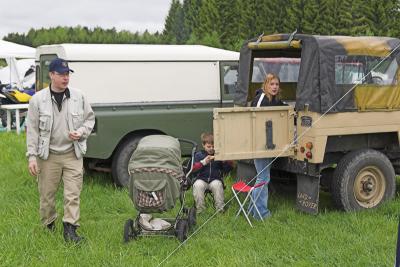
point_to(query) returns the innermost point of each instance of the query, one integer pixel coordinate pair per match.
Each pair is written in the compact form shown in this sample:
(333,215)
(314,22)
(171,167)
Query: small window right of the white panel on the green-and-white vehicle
(229,72)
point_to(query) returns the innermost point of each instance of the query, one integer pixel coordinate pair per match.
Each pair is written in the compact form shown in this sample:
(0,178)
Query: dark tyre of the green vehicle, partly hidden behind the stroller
(119,165)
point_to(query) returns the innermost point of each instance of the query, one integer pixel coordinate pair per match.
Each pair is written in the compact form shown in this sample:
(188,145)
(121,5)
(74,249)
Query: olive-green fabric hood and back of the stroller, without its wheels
(155,168)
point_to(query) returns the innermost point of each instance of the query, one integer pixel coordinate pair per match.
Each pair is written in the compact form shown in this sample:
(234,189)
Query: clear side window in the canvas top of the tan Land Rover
(365,70)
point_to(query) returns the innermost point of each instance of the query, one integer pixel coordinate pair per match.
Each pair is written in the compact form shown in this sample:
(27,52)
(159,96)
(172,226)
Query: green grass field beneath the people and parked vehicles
(288,238)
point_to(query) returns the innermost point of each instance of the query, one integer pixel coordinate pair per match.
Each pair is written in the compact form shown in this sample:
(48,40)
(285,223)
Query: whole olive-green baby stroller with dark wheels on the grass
(157,181)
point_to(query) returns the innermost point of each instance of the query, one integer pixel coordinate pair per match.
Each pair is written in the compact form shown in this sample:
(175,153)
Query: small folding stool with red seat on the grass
(242,187)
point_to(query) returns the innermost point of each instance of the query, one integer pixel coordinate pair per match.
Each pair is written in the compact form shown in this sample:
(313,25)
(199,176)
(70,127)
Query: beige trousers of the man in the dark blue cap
(70,169)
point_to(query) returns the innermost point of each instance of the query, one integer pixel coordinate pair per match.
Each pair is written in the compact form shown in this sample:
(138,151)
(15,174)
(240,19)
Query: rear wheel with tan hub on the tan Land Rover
(363,179)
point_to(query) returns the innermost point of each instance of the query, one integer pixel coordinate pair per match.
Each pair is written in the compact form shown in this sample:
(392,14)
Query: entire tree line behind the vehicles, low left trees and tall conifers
(228,23)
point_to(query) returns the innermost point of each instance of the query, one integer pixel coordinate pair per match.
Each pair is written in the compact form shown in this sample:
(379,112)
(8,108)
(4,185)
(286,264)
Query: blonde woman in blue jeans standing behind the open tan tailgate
(268,96)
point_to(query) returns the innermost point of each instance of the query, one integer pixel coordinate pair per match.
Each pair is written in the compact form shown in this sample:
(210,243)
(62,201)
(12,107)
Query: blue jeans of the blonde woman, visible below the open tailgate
(261,193)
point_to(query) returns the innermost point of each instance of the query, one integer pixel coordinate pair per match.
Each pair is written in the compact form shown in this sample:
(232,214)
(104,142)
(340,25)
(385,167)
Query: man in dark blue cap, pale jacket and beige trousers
(59,121)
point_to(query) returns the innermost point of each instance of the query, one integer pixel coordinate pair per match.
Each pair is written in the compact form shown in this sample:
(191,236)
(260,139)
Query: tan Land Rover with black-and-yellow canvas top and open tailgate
(341,127)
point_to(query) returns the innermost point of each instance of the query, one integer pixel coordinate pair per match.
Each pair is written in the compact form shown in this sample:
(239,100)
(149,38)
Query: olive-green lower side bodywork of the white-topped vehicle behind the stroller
(175,119)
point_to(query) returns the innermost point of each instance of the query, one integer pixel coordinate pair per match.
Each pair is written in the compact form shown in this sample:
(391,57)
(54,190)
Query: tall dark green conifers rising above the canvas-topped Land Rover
(226,23)
